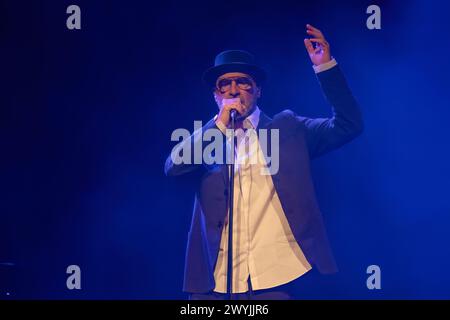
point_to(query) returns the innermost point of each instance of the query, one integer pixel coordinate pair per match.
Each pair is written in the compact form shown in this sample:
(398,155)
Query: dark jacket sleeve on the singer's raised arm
(326,134)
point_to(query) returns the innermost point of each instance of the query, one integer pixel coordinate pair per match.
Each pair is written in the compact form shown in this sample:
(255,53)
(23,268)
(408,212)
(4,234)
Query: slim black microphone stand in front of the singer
(230,211)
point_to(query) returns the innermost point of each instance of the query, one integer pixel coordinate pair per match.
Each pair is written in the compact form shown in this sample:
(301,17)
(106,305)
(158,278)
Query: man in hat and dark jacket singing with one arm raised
(278,231)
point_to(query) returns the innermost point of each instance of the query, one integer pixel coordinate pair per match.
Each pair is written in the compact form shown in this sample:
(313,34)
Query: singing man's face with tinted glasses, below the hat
(237,85)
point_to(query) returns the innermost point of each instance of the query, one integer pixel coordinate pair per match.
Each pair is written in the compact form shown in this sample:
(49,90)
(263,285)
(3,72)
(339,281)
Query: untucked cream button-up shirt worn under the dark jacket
(264,247)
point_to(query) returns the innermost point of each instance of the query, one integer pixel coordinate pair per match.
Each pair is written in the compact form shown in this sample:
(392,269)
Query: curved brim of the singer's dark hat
(210,76)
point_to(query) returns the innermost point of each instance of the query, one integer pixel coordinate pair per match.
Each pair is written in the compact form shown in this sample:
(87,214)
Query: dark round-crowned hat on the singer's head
(234,61)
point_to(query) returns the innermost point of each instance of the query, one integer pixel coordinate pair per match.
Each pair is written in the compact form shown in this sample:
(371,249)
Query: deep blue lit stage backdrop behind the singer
(86,118)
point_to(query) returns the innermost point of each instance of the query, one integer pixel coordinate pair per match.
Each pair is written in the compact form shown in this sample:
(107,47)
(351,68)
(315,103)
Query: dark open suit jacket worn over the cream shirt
(301,139)
